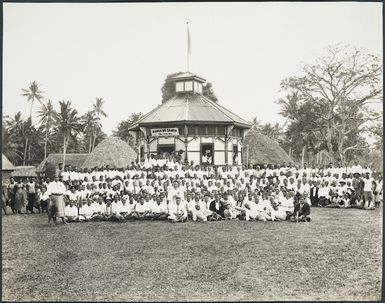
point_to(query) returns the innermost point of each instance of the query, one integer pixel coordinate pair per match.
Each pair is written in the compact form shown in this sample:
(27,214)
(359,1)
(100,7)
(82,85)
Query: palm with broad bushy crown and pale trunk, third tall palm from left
(67,123)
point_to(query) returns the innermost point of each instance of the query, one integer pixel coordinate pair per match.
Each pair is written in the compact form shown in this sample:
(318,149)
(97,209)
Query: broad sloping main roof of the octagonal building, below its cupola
(191,108)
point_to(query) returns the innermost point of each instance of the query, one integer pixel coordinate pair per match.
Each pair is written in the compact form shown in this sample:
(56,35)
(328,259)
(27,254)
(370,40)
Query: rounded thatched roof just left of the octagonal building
(111,151)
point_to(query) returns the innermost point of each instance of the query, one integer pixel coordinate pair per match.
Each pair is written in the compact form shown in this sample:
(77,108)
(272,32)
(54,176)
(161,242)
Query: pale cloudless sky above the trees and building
(122,52)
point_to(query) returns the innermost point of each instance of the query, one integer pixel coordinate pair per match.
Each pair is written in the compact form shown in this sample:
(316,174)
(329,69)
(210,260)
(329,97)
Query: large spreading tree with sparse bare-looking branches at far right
(330,101)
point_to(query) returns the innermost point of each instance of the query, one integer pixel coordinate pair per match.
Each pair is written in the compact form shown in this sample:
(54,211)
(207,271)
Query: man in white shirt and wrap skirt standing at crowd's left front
(56,190)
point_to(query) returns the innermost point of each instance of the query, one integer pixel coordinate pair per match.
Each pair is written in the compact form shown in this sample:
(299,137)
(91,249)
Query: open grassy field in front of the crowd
(338,256)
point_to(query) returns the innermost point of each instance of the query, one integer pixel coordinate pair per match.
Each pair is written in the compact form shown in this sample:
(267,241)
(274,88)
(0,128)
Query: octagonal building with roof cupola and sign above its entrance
(200,129)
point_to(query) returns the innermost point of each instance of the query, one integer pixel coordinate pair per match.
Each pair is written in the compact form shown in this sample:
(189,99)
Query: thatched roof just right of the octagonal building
(263,150)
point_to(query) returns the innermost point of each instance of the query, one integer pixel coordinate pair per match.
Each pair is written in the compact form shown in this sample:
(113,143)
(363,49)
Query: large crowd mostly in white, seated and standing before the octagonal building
(163,188)
